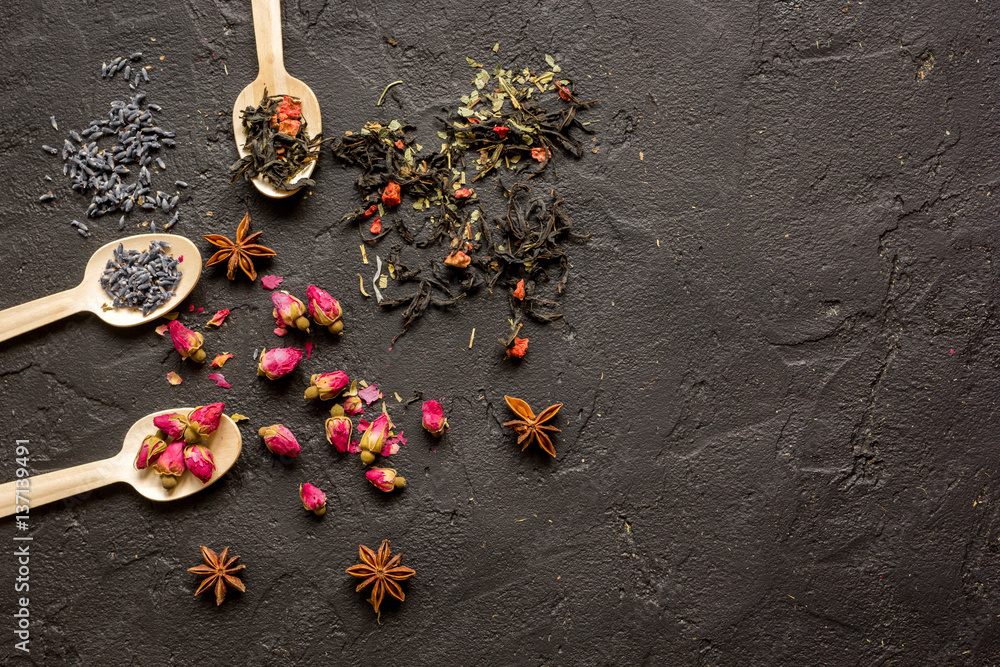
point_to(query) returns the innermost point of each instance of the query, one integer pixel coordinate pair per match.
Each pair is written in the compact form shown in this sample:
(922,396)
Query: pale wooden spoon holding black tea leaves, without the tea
(272,76)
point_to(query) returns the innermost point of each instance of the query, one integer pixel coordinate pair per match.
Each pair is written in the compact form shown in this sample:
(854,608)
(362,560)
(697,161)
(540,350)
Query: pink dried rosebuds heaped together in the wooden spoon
(179,445)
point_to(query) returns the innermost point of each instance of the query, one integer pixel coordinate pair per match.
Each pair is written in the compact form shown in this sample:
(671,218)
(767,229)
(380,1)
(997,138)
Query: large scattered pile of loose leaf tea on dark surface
(458,247)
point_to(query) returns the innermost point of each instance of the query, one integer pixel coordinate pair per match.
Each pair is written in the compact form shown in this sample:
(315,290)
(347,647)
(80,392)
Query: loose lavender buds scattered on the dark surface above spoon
(100,172)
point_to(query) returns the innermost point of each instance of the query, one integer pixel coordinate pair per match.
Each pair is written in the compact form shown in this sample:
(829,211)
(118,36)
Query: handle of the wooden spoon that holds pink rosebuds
(30,492)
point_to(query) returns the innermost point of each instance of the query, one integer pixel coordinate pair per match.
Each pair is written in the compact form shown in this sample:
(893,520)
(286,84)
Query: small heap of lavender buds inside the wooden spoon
(141,280)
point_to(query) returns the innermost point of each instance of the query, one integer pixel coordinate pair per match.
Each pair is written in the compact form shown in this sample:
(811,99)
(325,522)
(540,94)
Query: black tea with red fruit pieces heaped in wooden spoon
(278,142)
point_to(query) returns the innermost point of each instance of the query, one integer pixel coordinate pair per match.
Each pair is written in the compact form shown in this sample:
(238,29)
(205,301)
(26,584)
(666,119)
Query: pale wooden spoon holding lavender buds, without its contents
(89,295)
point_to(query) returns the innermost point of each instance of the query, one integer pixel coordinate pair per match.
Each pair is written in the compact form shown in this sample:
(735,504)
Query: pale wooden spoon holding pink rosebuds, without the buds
(225,445)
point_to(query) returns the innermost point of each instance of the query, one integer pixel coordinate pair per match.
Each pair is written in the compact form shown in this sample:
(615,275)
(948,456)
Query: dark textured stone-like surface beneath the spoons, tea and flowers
(779,368)
